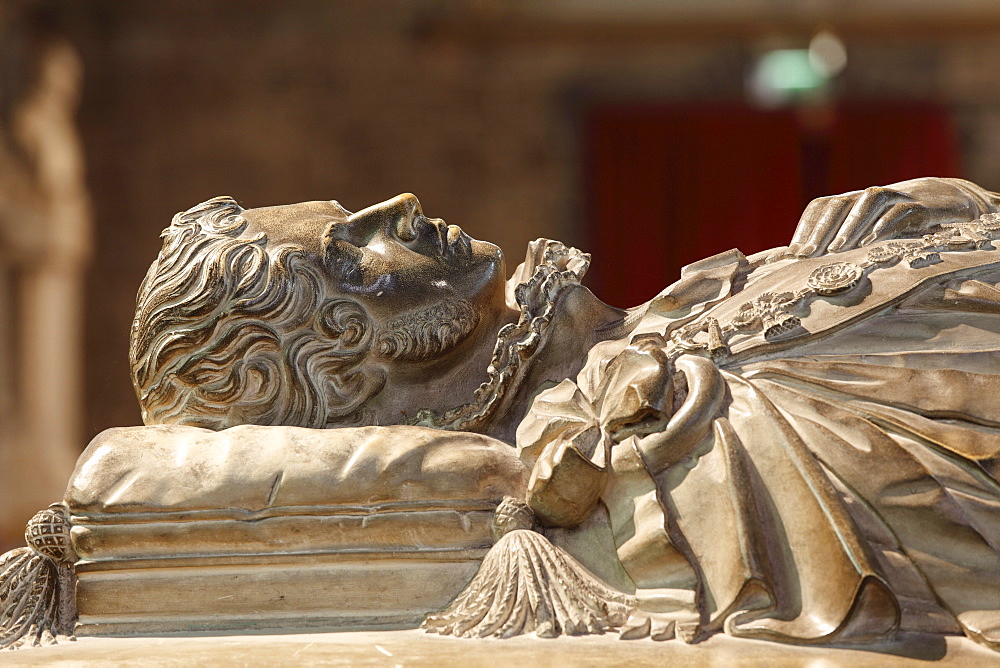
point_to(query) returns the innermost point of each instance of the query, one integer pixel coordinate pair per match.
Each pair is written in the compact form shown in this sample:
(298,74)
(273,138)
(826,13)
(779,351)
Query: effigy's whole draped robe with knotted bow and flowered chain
(831,479)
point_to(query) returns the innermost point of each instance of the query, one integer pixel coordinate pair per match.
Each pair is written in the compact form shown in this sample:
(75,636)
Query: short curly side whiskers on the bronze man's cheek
(428,333)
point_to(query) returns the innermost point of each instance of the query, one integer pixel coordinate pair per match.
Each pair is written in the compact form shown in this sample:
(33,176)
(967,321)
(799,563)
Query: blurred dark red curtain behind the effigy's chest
(669,185)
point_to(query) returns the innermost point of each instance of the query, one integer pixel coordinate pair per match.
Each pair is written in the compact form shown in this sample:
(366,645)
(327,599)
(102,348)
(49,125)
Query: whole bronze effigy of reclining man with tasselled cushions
(353,421)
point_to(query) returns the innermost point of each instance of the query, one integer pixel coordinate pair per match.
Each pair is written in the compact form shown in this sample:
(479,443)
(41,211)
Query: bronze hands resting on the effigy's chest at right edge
(909,208)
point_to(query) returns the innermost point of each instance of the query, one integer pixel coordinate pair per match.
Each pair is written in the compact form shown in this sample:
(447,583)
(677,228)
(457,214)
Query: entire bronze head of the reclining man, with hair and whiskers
(339,318)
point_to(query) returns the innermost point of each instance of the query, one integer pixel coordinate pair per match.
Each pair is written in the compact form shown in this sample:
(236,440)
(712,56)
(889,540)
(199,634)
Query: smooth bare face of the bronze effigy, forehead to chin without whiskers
(389,257)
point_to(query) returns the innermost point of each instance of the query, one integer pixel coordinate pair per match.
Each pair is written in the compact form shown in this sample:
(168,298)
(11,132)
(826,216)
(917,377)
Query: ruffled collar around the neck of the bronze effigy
(557,267)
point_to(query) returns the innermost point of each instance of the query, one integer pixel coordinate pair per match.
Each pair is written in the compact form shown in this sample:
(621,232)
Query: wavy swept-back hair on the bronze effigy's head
(229,331)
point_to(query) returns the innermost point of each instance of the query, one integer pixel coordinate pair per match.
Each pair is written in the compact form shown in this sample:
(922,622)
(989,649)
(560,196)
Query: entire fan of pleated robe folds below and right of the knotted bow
(814,515)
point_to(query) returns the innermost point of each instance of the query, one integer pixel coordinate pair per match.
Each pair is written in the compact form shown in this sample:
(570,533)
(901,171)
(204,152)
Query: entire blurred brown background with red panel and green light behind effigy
(651,133)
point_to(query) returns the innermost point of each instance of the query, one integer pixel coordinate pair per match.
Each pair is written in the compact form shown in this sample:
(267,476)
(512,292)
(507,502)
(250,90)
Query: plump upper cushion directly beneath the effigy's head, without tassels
(147,492)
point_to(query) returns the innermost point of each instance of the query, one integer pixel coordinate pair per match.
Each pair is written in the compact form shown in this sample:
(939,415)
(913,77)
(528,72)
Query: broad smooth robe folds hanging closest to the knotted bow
(777,554)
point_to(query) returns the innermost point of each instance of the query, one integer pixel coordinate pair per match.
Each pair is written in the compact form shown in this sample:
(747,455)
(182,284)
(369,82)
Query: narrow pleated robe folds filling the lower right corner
(928,481)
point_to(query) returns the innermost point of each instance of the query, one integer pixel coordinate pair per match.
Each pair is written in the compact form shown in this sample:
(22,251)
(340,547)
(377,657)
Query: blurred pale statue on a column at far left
(45,240)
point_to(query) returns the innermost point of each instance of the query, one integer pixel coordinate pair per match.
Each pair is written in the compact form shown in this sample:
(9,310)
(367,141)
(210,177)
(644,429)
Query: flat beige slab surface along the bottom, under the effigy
(415,648)
